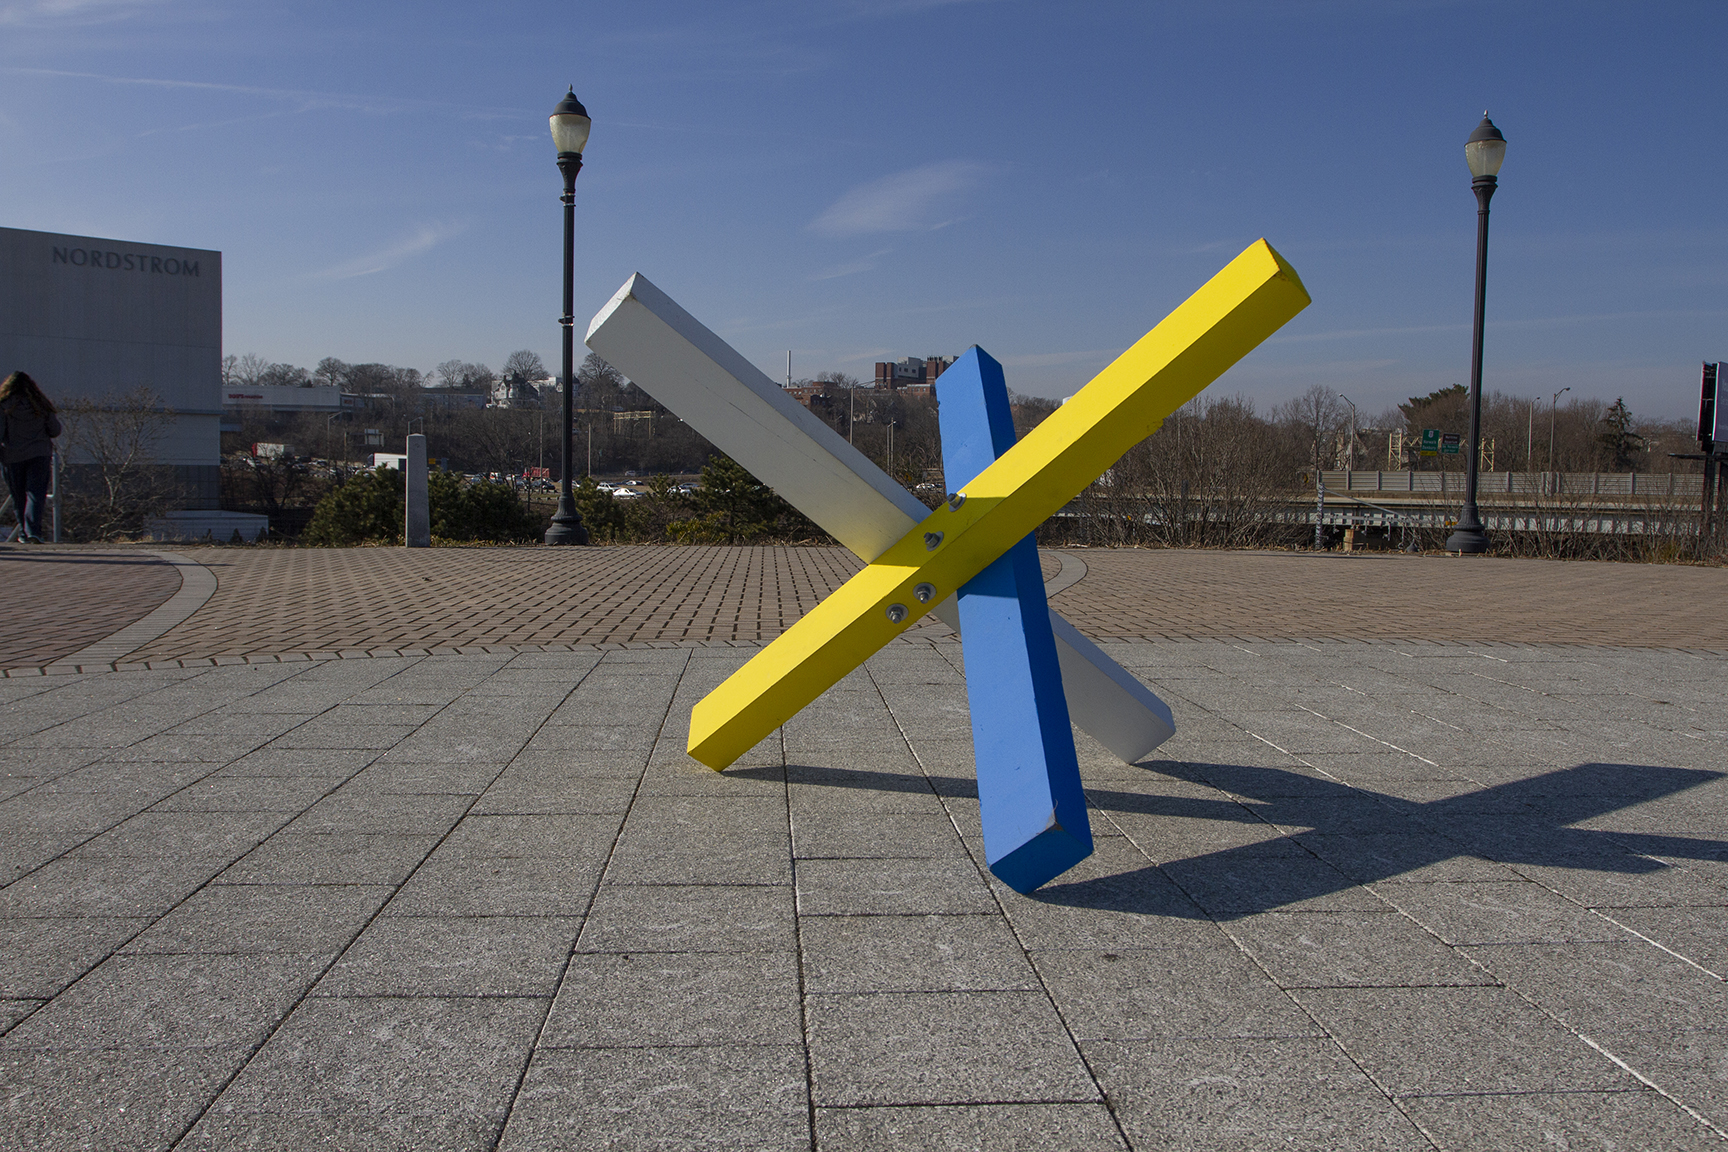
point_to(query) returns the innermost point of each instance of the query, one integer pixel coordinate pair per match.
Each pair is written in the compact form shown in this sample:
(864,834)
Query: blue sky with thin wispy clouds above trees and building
(863,180)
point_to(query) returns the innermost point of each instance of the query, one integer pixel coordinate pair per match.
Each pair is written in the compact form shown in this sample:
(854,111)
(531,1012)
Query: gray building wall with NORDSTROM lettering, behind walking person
(91,317)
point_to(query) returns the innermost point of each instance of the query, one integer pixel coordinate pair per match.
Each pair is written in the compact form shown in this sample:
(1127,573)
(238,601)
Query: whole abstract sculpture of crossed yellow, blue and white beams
(977,545)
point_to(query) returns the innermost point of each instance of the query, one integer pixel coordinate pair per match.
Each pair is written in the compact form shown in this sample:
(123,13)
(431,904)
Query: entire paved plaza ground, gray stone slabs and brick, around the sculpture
(381,849)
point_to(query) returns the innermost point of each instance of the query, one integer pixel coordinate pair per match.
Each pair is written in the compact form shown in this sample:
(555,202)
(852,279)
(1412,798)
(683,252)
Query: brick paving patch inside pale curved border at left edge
(61,600)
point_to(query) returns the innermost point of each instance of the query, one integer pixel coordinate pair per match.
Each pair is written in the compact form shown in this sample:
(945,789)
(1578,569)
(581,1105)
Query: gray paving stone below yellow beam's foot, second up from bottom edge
(671,999)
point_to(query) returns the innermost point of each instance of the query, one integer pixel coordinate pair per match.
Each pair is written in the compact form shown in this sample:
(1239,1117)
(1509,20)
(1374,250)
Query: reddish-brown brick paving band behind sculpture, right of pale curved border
(302,602)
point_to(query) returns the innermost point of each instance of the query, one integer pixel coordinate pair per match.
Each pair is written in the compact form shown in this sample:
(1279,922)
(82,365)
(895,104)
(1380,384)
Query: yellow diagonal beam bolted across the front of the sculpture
(1254,296)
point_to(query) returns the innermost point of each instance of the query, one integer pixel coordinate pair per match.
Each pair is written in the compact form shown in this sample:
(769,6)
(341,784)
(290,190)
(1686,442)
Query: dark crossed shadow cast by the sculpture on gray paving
(1307,839)
